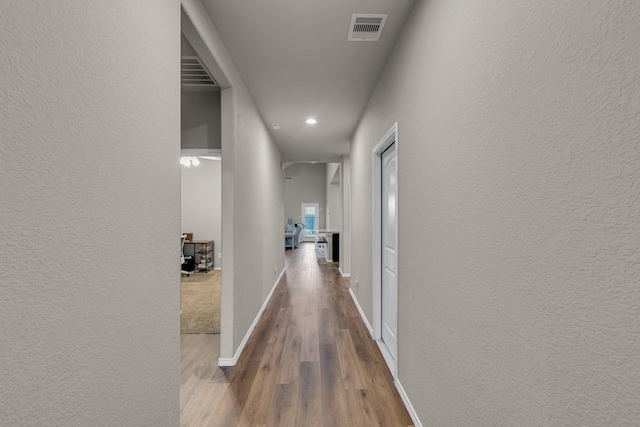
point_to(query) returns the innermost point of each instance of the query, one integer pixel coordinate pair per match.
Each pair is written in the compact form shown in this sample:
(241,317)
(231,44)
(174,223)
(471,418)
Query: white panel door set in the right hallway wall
(389,259)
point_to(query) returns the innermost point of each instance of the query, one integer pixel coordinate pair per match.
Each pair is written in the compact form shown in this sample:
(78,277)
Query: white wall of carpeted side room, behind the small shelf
(201,200)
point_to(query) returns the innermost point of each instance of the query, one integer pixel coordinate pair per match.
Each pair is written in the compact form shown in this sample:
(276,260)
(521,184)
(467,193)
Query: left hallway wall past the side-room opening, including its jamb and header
(252,189)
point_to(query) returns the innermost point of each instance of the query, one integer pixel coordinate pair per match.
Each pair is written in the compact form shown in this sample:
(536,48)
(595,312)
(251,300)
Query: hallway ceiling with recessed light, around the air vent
(296,61)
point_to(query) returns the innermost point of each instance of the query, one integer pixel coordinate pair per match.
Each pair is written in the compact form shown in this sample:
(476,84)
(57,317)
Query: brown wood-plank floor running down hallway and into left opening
(309,362)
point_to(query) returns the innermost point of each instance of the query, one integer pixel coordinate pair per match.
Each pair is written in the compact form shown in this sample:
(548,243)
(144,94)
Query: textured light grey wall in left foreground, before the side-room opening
(89,180)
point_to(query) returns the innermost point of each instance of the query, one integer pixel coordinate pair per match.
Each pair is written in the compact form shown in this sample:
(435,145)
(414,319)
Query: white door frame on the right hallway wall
(389,138)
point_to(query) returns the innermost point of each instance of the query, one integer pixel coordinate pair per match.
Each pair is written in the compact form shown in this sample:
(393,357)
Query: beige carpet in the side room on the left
(200,301)
